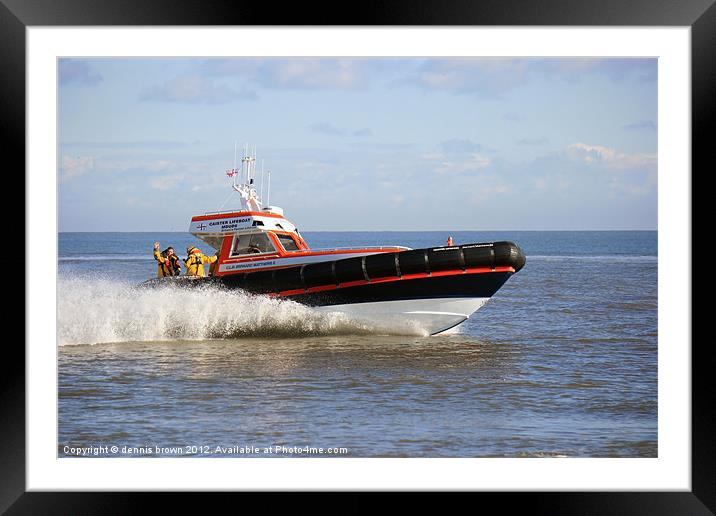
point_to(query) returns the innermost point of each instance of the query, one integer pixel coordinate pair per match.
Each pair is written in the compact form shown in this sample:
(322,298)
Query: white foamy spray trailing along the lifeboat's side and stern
(96,310)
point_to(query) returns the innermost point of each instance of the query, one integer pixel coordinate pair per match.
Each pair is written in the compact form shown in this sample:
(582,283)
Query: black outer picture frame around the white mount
(700,15)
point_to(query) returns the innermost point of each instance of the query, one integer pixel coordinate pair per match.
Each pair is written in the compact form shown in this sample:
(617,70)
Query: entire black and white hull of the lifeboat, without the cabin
(430,290)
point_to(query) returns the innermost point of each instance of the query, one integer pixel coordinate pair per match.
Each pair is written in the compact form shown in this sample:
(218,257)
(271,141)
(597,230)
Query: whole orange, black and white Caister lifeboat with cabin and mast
(261,252)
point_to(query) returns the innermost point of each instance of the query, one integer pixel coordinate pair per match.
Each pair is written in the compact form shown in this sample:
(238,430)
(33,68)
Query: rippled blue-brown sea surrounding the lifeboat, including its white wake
(561,362)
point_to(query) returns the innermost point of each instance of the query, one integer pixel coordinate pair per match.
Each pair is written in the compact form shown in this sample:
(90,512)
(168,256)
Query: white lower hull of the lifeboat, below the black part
(413,315)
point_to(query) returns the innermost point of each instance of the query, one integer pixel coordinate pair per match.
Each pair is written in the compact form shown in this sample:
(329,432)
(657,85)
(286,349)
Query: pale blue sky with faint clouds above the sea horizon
(361,144)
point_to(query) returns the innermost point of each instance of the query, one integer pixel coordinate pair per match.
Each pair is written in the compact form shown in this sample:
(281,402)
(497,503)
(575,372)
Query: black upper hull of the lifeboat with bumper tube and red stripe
(327,278)
